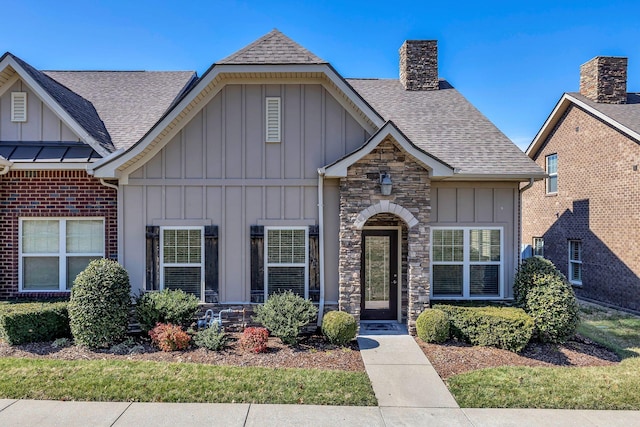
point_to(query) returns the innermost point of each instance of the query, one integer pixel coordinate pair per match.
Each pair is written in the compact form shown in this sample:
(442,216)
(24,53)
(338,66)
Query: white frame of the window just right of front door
(467,263)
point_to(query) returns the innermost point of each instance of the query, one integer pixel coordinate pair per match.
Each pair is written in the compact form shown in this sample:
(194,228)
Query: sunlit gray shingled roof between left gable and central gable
(129,102)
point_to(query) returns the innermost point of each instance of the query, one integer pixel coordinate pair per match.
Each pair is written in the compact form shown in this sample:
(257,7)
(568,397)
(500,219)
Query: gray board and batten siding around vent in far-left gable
(42,123)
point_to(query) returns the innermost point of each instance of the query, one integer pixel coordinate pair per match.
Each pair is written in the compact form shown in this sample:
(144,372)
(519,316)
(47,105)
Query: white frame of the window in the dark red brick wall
(62,253)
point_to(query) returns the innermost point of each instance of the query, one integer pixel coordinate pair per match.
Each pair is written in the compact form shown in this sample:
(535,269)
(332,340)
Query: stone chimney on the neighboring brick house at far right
(604,79)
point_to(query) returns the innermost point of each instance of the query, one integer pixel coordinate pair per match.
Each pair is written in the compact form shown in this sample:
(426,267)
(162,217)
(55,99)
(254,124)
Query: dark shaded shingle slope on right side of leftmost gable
(79,108)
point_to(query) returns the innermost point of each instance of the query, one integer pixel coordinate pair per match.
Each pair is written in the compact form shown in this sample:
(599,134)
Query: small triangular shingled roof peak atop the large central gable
(273,48)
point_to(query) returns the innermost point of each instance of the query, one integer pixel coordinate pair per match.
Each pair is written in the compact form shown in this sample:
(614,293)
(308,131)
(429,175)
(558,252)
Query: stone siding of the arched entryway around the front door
(409,202)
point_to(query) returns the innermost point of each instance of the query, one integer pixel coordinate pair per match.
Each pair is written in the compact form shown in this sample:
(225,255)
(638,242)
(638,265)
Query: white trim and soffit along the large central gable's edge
(119,166)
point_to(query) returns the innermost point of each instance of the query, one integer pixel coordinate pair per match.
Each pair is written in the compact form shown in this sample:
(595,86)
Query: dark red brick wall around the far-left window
(49,194)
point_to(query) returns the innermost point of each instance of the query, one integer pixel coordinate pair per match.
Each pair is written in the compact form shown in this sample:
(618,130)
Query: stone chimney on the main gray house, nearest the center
(419,65)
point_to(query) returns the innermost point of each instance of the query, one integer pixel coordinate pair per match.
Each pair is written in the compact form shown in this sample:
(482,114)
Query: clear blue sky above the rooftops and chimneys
(512,60)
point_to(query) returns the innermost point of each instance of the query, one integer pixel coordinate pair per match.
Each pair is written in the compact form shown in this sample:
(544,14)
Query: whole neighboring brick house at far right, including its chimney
(585,217)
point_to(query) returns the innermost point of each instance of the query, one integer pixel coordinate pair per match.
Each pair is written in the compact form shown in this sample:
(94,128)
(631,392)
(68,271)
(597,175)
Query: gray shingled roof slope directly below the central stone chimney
(446,125)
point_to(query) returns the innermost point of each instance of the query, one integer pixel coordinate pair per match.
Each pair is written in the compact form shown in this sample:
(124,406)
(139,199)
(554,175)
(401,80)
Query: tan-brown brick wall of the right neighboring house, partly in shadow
(598,201)
